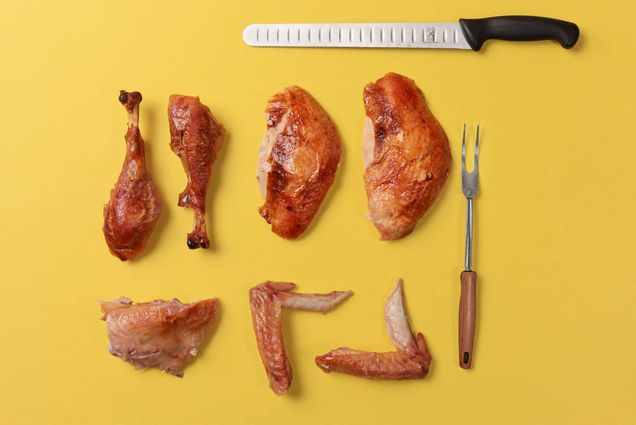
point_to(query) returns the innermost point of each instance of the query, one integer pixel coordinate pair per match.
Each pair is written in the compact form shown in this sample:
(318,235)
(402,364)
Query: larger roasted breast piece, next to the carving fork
(406,155)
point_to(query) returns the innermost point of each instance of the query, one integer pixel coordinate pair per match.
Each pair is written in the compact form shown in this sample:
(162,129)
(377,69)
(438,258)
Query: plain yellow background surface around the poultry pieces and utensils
(554,238)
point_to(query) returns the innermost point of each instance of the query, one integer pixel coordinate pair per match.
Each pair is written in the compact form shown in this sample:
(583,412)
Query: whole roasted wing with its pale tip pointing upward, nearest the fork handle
(410,361)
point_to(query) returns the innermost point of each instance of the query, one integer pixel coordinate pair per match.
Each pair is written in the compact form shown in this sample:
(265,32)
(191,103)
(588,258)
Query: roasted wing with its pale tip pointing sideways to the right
(267,301)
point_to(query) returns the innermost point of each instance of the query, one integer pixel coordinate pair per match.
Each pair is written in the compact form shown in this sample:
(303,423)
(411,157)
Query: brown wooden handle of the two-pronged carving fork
(467,313)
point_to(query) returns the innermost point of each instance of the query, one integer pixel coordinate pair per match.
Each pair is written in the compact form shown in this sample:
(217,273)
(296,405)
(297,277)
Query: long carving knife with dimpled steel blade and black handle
(465,34)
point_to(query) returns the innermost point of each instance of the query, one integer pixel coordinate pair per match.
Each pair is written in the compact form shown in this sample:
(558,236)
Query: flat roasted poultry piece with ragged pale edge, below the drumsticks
(160,334)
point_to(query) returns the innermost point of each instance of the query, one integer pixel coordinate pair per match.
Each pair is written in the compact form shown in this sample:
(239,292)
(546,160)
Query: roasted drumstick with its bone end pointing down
(196,137)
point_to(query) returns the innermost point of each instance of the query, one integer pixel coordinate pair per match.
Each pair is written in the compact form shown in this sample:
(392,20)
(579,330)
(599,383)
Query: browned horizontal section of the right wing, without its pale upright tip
(392,365)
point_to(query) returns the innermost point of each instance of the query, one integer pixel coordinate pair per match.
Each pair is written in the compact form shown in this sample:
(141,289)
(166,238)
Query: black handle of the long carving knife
(518,28)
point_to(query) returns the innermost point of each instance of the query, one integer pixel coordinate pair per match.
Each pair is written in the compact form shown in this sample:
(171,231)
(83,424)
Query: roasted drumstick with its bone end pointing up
(134,206)
